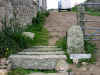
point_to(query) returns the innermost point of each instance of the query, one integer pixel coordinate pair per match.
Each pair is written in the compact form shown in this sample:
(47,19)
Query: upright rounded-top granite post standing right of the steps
(75,40)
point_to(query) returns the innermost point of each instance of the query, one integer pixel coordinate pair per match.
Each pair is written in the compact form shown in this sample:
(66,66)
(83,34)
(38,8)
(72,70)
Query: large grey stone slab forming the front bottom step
(44,62)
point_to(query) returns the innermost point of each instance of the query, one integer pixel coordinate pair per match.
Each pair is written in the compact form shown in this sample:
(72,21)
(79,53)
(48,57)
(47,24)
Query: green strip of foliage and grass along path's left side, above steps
(37,27)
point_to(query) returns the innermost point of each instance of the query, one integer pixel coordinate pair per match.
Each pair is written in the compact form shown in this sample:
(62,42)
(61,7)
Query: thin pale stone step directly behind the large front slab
(42,53)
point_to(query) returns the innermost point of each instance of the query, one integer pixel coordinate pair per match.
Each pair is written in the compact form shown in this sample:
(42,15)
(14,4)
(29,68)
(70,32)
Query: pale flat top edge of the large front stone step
(39,56)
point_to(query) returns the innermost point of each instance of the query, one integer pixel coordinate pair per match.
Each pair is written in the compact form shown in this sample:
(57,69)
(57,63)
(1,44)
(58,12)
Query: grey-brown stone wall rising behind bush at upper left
(25,10)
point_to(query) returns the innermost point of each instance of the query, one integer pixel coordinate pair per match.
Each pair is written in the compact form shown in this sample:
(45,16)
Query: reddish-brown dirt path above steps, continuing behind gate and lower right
(58,24)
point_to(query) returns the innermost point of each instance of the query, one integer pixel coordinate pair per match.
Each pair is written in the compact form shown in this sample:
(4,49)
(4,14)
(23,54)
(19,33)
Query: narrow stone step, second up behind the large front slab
(41,49)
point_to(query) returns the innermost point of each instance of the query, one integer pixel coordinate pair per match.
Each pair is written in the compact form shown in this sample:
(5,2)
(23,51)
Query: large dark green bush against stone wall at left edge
(11,39)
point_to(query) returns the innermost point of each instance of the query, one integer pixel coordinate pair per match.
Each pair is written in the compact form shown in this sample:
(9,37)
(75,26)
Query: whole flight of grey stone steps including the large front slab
(40,57)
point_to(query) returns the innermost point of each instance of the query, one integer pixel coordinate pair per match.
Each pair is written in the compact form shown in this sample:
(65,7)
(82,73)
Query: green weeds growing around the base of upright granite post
(90,48)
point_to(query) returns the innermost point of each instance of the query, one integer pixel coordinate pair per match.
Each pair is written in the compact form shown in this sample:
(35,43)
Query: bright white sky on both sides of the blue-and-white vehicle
(53,4)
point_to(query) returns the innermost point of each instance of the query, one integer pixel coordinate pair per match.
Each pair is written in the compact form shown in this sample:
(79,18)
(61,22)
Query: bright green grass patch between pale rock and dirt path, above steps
(41,37)
